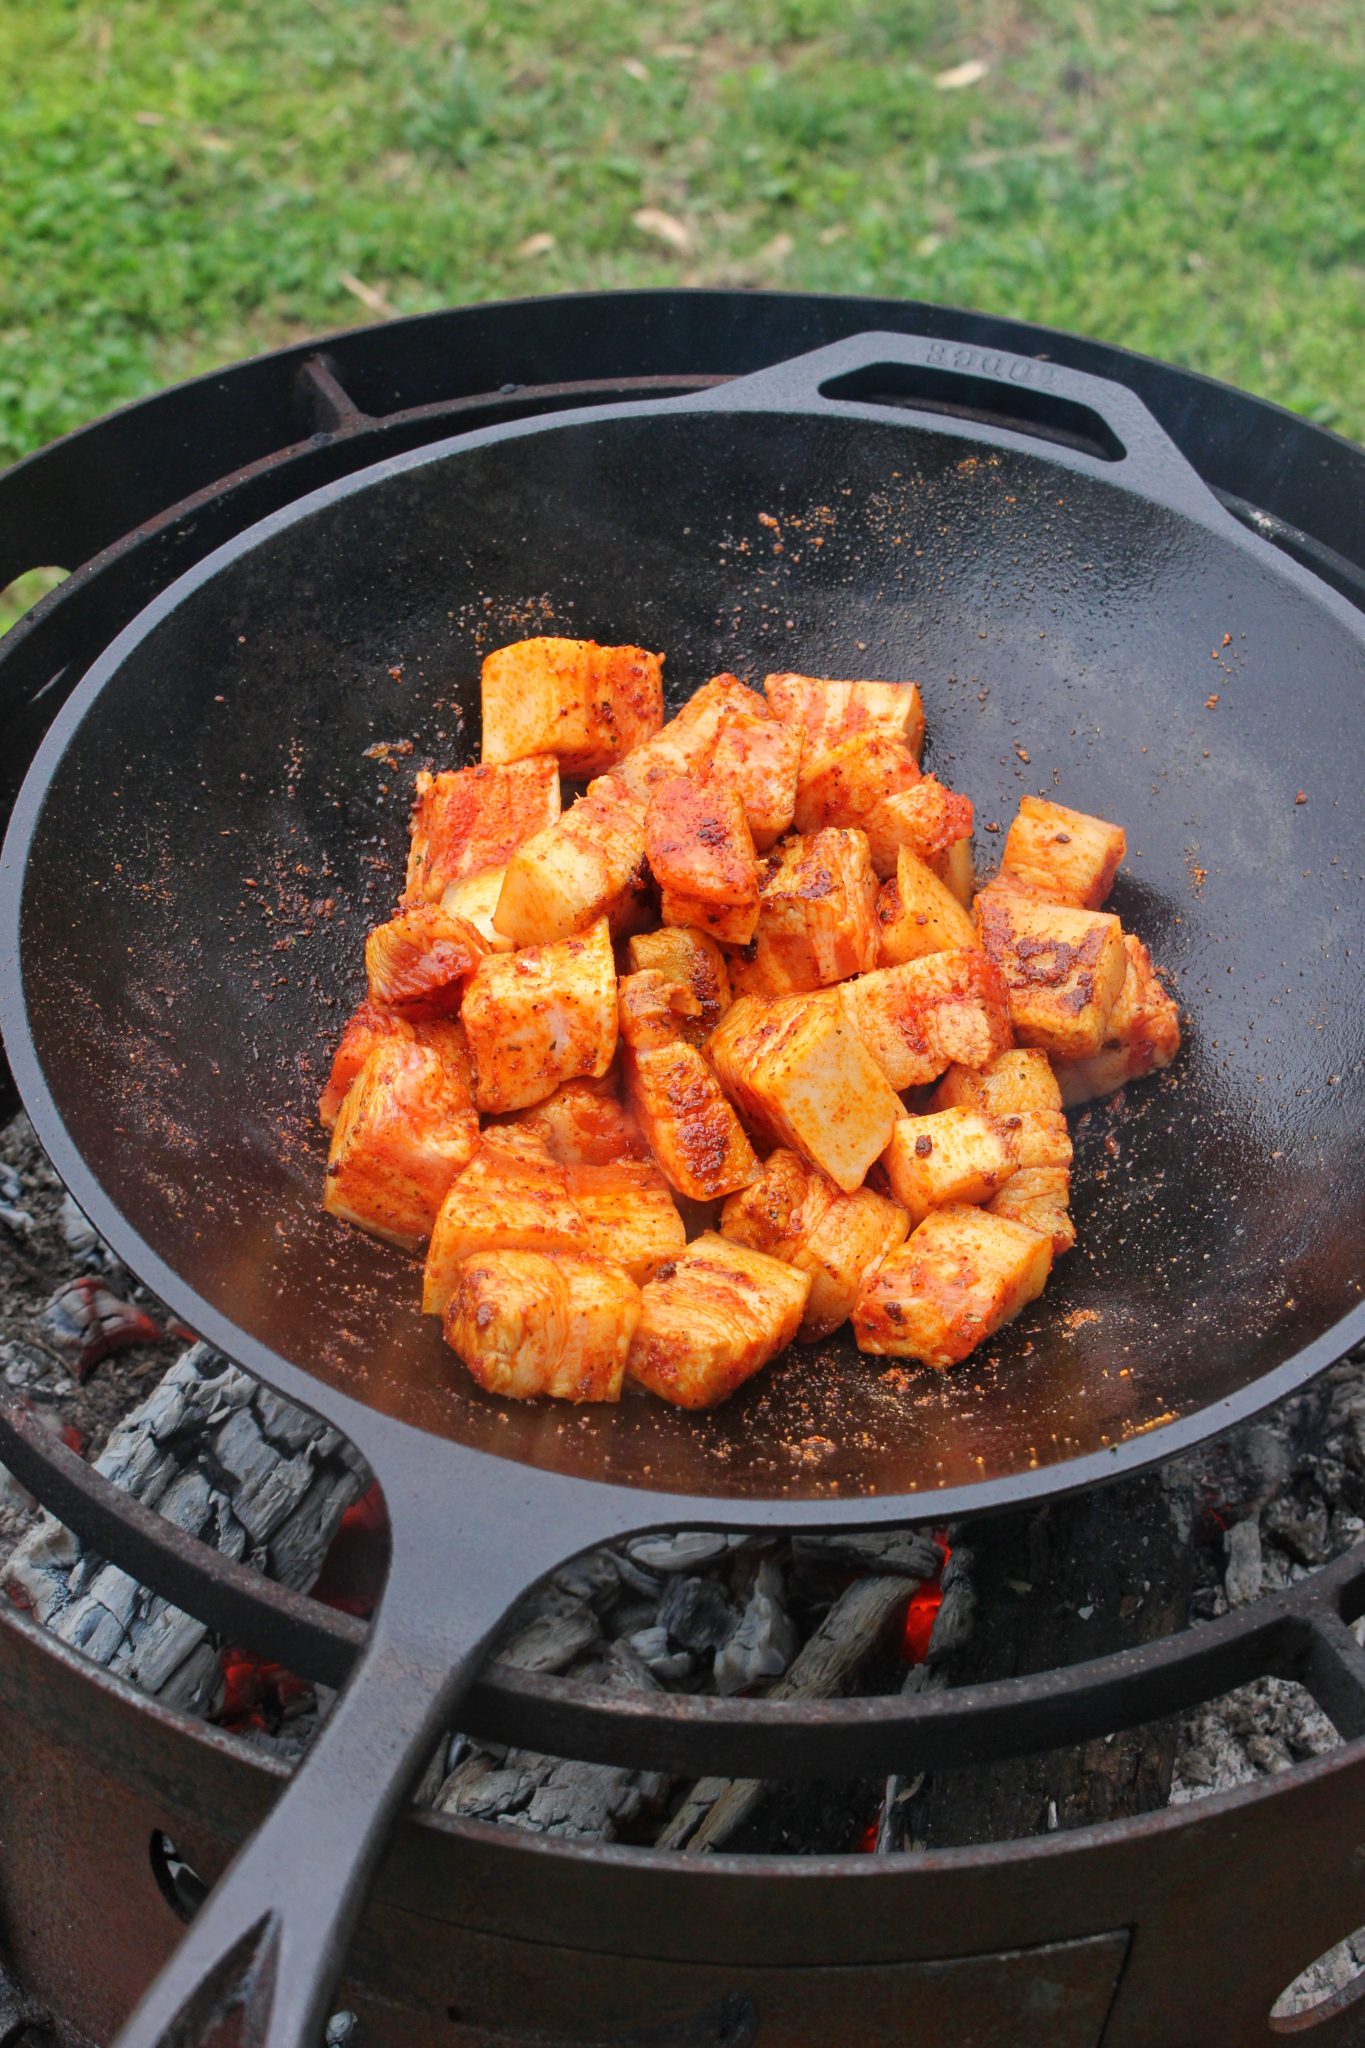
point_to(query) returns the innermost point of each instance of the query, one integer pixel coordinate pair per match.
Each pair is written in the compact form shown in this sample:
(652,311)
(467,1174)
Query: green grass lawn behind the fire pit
(185,183)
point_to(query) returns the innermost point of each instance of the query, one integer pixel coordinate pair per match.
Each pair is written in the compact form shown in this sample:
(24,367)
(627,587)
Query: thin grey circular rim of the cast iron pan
(378,1433)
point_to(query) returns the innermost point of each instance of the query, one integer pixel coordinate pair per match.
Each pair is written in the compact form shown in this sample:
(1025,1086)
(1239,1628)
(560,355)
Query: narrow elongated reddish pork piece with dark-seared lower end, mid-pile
(691,1127)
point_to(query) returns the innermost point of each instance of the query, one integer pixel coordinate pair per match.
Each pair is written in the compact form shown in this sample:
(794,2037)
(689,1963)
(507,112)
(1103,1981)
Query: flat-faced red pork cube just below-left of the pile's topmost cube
(470,820)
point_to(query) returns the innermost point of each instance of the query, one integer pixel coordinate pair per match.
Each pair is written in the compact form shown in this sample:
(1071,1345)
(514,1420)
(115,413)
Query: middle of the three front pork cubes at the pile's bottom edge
(713,1320)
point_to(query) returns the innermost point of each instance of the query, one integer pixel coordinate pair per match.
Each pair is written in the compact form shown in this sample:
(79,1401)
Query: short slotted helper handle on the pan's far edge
(1092,423)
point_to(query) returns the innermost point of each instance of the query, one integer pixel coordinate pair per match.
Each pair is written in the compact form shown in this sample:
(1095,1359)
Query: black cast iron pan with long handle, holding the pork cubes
(218,816)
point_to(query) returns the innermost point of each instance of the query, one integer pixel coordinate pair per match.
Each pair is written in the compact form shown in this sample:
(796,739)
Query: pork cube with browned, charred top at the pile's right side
(1063,970)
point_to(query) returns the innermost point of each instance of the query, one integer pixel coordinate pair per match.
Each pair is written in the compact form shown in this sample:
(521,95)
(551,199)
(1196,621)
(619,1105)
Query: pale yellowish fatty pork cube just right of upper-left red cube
(584,867)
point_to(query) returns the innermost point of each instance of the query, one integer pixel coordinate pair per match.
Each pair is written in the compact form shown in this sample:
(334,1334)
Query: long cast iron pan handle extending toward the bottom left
(267,1949)
